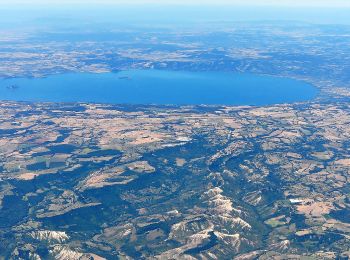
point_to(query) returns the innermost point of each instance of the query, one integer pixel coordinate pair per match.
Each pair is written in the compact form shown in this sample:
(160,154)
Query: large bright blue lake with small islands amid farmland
(158,87)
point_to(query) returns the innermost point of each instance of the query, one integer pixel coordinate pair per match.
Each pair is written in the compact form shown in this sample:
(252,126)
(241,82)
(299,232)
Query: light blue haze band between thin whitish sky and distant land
(177,15)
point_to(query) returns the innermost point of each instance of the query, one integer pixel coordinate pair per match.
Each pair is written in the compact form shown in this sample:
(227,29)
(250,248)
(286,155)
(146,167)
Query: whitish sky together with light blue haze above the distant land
(19,14)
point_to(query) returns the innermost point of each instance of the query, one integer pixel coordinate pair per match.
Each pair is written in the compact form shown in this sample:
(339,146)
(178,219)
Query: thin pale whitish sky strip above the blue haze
(293,3)
